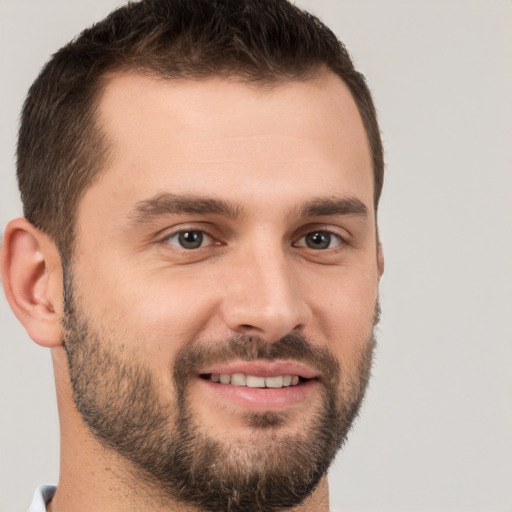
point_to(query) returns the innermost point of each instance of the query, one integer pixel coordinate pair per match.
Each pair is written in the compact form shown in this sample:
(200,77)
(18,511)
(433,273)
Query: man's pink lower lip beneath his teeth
(261,399)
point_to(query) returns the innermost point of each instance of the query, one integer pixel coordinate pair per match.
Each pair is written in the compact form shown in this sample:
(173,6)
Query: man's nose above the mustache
(263,296)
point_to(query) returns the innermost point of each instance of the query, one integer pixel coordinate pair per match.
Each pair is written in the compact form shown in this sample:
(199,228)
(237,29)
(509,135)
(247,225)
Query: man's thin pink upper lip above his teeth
(261,368)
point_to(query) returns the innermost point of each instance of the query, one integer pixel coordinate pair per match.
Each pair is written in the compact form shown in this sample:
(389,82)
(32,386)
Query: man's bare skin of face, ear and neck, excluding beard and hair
(267,151)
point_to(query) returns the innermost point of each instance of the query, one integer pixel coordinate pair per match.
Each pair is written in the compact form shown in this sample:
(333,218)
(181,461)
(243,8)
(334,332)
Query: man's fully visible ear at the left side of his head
(32,280)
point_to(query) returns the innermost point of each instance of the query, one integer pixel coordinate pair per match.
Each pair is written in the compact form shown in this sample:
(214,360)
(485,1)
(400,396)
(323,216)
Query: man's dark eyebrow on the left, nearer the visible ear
(169,204)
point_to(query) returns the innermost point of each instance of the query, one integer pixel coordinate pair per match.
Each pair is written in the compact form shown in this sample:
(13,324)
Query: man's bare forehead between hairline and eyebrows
(226,137)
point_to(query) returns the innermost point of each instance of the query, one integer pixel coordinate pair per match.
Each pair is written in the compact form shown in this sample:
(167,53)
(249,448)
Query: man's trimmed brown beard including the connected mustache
(118,399)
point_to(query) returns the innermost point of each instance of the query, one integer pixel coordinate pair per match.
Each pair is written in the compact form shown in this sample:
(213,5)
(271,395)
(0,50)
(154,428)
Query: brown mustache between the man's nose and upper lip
(296,347)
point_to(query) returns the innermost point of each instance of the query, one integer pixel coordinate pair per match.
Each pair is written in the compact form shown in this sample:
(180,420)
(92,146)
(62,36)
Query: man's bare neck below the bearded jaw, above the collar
(93,477)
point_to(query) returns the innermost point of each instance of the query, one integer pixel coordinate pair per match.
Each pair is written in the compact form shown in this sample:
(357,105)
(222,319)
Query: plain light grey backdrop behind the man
(435,433)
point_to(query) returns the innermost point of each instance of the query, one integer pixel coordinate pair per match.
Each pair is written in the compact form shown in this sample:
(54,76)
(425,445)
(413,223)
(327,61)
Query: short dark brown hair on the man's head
(61,148)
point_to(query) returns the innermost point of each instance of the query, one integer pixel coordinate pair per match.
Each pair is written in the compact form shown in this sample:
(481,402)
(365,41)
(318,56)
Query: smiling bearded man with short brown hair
(199,250)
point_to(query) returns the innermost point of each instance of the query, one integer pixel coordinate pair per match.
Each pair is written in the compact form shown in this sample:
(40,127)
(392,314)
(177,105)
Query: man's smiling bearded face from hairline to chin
(223,290)
